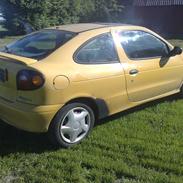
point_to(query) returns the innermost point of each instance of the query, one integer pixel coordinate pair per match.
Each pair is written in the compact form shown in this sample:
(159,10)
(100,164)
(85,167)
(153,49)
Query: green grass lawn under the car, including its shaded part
(144,145)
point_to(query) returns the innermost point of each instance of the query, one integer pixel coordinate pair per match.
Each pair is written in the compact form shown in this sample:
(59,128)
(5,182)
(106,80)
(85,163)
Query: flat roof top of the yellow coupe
(82,27)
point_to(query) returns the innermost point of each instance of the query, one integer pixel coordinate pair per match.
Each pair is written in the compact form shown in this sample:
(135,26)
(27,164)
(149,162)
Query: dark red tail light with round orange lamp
(29,80)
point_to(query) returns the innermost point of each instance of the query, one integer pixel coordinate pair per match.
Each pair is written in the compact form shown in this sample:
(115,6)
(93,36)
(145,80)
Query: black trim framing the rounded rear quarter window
(98,63)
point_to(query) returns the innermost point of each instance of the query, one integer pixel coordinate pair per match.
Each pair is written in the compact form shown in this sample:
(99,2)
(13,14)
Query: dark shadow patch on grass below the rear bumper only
(13,140)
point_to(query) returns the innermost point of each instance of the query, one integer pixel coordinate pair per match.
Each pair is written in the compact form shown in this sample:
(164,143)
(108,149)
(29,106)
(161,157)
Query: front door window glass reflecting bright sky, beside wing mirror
(142,45)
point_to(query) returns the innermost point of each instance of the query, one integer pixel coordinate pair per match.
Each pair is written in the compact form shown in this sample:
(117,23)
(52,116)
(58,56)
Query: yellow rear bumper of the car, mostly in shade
(28,117)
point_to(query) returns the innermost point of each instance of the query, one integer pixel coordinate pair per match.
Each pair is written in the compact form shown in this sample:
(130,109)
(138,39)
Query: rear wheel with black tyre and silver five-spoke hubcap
(71,125)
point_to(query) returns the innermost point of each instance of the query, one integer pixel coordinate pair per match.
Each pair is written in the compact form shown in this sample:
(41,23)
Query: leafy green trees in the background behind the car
(46,13)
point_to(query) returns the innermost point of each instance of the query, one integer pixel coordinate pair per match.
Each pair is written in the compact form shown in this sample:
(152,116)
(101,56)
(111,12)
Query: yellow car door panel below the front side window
(153,80)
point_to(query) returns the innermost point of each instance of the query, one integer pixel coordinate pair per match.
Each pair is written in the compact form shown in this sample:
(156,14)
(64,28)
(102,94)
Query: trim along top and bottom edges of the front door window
(146,58)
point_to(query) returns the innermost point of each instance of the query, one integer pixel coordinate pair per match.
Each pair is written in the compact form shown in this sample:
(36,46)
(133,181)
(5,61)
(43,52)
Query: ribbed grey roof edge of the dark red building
(158,2)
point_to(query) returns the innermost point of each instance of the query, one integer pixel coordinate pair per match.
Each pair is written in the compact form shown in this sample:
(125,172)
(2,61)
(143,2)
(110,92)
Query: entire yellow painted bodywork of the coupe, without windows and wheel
(111,83)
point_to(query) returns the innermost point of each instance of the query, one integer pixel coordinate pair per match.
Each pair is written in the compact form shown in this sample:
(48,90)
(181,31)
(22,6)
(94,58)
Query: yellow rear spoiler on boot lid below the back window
(17,59)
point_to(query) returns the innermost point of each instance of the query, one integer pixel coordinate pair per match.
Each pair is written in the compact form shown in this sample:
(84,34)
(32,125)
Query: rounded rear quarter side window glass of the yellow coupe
(100,50)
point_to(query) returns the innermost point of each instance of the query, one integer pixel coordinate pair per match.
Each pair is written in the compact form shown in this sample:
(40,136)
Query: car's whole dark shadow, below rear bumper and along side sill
(13,140)
